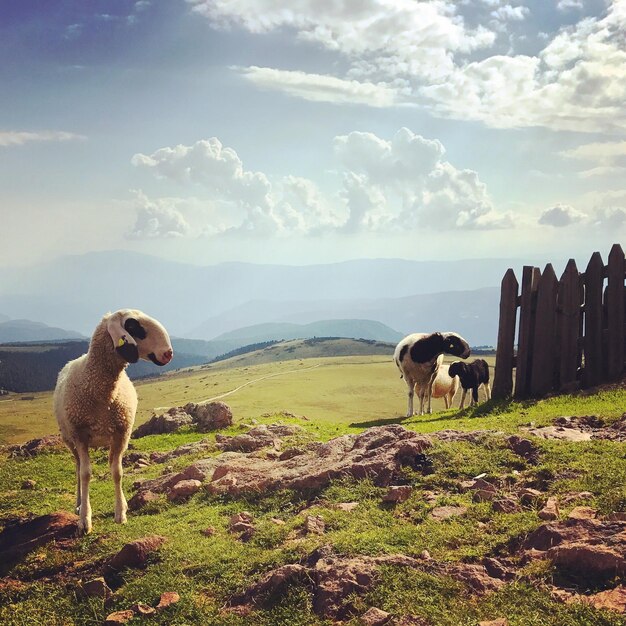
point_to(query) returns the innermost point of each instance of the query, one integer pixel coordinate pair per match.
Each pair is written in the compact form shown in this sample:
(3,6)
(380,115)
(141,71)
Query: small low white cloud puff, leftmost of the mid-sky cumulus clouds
(157,218)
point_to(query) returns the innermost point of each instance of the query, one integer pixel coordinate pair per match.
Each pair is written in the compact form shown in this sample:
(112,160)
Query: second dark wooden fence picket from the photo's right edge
(592,343)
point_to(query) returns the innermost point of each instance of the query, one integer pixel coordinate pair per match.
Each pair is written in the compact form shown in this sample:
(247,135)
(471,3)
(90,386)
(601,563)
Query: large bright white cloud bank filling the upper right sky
(428,54)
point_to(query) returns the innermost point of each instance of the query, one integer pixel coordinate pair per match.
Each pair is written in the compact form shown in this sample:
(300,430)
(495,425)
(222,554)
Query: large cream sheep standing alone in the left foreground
(95,402)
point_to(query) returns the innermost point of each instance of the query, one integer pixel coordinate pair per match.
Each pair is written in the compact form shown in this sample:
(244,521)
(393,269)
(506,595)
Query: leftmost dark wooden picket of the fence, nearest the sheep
(503,378)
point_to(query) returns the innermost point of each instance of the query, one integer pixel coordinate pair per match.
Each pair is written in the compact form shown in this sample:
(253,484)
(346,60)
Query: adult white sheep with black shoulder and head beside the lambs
(417,358)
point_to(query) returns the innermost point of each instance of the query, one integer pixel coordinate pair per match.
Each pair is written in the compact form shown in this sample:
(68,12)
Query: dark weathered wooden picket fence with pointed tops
(570,331)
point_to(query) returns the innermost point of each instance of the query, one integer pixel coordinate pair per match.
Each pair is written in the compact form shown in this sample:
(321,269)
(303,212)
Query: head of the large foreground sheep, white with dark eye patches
(137,336)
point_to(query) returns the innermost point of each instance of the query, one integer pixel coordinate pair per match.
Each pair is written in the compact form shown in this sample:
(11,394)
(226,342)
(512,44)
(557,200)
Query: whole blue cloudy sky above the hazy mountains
(312,131)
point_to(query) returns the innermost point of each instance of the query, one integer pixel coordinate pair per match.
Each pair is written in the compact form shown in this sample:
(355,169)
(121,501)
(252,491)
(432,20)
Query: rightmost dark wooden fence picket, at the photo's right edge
(615,312)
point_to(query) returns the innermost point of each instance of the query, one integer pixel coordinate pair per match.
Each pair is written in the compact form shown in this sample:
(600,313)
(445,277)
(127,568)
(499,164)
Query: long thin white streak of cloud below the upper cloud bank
(320,88)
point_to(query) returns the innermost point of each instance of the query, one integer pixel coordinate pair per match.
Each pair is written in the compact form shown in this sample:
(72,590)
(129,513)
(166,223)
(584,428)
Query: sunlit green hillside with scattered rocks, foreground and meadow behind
(416,536)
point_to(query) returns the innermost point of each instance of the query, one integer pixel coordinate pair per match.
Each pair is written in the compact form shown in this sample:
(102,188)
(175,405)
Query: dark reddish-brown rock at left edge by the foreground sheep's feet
(19,539)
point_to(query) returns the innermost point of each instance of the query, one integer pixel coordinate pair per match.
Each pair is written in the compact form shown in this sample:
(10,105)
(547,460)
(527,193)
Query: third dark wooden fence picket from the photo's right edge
(568,321)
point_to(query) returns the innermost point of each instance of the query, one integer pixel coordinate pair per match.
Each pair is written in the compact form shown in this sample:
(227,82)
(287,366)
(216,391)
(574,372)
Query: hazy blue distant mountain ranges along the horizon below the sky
(205,302)
